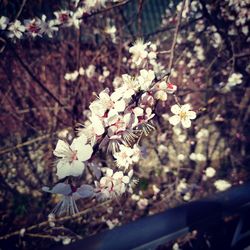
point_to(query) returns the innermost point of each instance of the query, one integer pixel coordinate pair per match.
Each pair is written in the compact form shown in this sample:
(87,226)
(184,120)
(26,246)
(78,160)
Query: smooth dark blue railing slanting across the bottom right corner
(202,215)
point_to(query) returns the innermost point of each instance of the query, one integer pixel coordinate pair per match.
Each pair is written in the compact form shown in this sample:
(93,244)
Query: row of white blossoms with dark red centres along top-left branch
(38,27)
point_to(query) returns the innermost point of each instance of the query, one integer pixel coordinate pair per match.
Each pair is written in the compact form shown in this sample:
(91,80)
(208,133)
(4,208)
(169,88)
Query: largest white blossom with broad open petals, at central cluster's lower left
(72,156)
